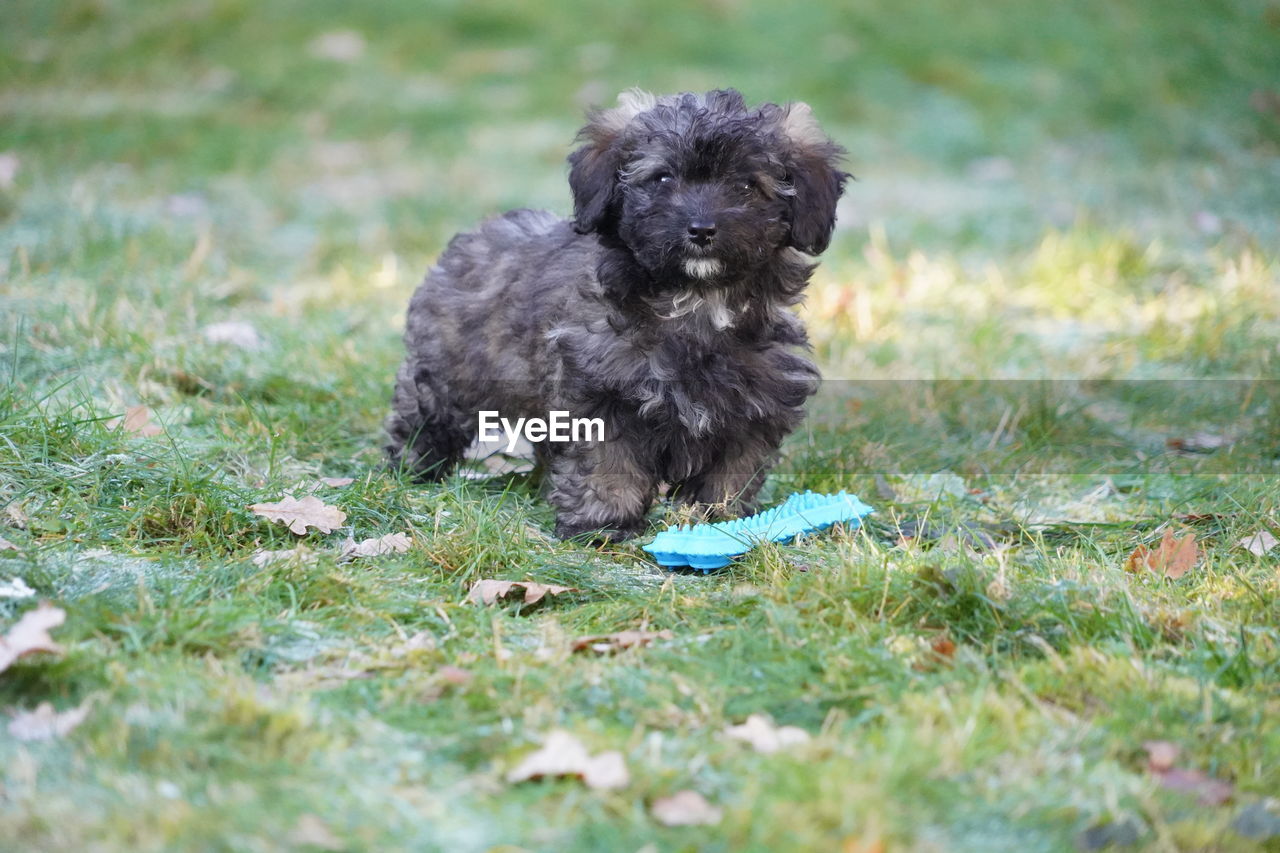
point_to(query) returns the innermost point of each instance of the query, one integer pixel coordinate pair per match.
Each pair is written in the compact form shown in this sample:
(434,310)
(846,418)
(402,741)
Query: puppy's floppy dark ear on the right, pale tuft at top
(812,161)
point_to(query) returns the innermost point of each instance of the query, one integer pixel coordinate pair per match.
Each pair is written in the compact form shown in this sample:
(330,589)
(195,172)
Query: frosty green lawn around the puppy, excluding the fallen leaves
(1058,268)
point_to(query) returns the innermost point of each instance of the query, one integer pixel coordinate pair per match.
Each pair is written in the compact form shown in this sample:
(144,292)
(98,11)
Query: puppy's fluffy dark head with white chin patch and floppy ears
(703,188)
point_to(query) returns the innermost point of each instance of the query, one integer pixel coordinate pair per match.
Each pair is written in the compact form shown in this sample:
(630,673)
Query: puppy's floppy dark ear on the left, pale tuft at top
(593,176)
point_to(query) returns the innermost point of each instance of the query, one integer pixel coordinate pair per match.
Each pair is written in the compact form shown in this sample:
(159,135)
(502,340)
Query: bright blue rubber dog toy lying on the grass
(714,546)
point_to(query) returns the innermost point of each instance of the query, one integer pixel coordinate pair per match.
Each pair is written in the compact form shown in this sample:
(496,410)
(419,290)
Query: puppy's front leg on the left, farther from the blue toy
(600,489)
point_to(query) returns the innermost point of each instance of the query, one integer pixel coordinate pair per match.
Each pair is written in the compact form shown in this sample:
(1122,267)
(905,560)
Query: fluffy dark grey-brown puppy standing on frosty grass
(662,309)
